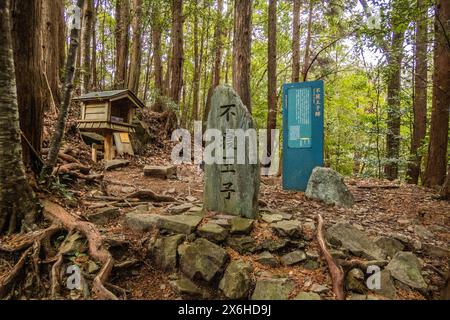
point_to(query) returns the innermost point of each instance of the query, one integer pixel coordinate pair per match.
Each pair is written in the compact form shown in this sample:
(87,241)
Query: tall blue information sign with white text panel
(303,126)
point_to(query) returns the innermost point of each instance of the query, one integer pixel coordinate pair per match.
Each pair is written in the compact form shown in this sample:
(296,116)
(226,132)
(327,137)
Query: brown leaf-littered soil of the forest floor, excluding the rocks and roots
(382,208)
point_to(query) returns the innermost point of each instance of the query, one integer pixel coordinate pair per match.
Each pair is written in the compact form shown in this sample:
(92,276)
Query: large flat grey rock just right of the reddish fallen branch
(354,240)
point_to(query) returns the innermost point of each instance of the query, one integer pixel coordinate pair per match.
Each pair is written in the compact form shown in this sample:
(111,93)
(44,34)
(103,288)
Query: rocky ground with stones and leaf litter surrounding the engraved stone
(170,249)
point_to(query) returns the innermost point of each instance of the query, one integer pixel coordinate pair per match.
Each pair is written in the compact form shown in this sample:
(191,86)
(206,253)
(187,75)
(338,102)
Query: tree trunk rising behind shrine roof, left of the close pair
(122,33)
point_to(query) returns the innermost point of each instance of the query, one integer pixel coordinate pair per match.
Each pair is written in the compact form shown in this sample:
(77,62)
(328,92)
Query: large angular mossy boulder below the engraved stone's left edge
(203,260)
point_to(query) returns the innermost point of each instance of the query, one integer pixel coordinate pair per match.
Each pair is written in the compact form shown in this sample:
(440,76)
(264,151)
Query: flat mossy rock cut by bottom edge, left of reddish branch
(273,289)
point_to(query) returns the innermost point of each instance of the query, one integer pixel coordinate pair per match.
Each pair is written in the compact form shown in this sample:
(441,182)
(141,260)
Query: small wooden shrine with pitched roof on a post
(110,114)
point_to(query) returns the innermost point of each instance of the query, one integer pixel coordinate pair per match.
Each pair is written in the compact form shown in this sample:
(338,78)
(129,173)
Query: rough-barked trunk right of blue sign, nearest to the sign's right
(393,113)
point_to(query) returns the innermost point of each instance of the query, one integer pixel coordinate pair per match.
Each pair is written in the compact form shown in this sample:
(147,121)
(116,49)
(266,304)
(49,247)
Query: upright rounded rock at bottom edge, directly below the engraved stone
(236,282)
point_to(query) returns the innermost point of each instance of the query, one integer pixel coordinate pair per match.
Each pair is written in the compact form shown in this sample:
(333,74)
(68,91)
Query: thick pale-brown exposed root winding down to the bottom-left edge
(96,249)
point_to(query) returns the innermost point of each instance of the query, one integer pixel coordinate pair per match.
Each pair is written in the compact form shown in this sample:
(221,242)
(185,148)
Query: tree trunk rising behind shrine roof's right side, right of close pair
(136,47)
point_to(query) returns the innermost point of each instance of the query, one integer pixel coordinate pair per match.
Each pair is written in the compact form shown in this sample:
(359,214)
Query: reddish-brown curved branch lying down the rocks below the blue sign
(337,274)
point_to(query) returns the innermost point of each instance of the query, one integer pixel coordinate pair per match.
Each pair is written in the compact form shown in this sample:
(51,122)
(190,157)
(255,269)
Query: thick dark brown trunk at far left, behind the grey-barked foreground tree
(26,26)
